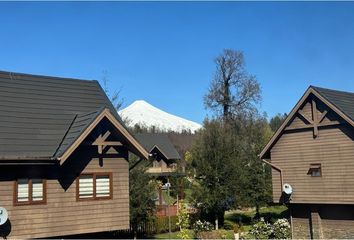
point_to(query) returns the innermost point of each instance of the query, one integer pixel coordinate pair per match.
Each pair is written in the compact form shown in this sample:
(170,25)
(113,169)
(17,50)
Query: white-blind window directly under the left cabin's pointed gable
(94,186)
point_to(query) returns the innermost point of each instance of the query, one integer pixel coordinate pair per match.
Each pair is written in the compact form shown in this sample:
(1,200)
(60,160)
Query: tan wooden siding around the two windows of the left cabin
(63,215)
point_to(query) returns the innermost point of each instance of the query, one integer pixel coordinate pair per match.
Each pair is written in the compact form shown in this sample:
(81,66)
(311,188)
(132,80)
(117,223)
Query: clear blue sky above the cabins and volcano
(163,52)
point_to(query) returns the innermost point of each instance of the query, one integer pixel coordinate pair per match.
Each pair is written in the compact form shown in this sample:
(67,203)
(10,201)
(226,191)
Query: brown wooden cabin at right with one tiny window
(313,151)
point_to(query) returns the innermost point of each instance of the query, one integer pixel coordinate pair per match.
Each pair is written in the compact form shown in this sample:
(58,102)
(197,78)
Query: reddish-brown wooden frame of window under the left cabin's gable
(94,176)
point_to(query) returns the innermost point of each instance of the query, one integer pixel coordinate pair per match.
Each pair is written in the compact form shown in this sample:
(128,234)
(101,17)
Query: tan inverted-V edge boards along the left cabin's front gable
(105,113)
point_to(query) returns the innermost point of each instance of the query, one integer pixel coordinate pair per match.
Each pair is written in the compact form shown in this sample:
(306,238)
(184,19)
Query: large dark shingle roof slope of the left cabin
(41,116)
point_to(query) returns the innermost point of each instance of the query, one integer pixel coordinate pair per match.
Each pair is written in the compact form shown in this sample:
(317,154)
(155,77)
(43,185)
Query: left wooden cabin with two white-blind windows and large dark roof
(63,158)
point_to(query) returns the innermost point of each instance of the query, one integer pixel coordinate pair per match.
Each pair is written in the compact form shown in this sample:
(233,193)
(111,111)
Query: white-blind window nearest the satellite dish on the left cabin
(29,191)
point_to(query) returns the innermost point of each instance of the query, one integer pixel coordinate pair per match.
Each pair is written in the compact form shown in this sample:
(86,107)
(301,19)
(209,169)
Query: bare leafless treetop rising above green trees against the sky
(233,89)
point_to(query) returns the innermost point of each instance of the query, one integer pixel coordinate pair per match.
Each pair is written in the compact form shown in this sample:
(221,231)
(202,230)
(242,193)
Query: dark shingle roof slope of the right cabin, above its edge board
(344,101)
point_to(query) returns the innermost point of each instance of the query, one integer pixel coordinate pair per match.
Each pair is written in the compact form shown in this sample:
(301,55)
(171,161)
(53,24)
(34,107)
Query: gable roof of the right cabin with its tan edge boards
(340,102)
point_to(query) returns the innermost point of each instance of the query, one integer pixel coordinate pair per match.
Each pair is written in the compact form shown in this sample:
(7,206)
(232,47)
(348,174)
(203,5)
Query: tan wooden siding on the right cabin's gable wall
(333,148)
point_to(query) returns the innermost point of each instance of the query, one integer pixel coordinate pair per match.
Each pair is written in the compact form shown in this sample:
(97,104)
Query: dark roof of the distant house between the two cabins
(161,140)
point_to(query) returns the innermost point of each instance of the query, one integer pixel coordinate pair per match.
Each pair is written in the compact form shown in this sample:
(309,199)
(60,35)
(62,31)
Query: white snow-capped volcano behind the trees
(144,114)
